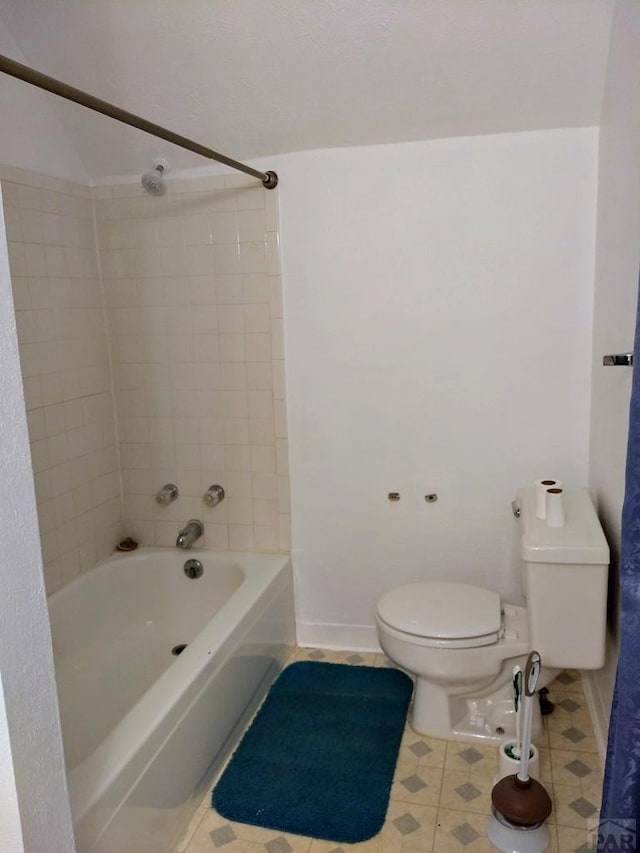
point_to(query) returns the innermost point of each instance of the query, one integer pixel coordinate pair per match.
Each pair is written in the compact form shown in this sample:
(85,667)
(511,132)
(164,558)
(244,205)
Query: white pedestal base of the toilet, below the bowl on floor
(487,719)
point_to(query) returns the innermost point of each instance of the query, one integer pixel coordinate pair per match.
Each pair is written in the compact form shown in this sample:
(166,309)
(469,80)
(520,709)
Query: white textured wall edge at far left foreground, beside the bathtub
(26,660)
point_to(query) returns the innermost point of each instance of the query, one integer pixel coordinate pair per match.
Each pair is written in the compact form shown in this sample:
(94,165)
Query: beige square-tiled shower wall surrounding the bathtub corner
(188,285)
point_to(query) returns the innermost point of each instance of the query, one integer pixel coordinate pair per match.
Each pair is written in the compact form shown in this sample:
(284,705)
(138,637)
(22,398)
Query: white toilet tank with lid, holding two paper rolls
(565,571)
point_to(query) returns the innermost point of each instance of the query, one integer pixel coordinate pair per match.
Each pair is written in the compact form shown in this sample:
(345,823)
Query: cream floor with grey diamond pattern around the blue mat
(440,799)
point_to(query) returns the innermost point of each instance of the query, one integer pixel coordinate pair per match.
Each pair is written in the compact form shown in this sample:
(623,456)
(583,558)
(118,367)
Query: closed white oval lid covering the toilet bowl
(443,610)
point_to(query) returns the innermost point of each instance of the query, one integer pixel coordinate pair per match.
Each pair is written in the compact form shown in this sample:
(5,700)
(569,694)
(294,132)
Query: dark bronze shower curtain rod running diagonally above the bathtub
(50,84)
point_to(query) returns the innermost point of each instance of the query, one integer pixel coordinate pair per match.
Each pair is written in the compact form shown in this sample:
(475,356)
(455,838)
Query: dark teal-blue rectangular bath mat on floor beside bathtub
(319,757)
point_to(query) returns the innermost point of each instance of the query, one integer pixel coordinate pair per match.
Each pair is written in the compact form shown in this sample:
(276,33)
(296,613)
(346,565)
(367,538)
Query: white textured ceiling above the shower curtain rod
(257,77)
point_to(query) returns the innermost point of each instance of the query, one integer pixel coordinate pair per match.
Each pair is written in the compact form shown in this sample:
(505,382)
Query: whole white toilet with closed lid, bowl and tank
(461,641)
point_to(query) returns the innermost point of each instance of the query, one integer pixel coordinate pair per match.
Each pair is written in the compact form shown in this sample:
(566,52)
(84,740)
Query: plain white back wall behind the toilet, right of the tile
(438,308)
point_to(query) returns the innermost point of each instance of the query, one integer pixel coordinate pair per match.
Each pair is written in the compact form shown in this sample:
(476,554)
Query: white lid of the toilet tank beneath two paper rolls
(581,540)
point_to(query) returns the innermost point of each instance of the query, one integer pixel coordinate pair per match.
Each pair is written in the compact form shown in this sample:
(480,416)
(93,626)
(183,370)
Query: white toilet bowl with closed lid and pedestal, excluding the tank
(462,683)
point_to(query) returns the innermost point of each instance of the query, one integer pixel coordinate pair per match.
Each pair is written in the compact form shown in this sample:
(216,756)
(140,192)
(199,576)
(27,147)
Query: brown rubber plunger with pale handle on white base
(520,804)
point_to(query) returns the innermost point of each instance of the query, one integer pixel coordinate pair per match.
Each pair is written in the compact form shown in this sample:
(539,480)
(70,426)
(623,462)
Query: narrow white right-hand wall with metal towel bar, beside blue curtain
(616,288)
